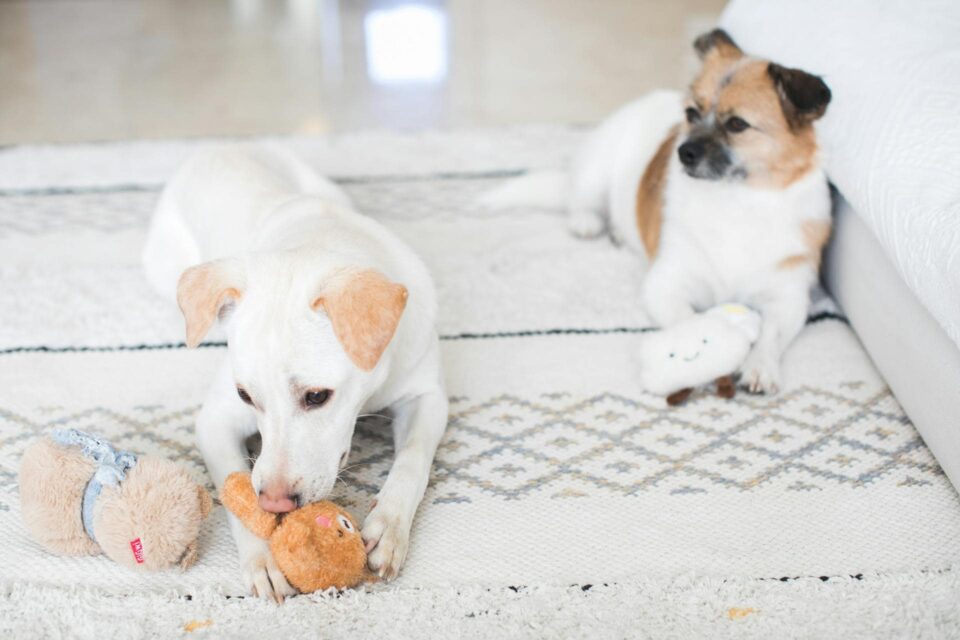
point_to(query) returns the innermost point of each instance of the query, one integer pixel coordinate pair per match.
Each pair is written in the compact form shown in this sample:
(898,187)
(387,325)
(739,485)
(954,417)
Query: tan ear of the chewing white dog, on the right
(364,308)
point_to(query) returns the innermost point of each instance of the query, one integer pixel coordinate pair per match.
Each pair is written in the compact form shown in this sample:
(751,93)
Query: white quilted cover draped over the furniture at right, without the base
(891,138)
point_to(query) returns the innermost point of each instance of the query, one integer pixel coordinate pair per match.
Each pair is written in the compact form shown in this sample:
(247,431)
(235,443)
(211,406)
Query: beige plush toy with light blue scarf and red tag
(80,496)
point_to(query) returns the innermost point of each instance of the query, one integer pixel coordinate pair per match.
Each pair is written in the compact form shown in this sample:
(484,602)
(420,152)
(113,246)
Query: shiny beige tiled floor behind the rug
(81,70)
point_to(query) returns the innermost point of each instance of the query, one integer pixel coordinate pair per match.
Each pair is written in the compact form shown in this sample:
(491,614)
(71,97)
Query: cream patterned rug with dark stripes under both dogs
(564,502)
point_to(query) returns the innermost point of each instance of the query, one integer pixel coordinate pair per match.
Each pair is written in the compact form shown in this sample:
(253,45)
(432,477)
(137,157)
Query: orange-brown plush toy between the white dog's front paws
(317,546)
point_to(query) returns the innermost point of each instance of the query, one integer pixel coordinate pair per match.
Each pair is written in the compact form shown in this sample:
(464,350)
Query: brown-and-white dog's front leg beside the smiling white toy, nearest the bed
(784,311)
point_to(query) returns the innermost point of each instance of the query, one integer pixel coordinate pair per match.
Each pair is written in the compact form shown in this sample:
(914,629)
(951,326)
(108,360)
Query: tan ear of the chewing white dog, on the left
(203,290)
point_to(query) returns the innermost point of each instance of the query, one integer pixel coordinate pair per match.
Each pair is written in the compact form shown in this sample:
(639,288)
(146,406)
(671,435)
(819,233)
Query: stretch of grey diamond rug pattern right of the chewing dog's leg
(625,446)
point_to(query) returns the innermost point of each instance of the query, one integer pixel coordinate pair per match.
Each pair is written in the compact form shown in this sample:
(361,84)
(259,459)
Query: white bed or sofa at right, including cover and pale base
(891,144)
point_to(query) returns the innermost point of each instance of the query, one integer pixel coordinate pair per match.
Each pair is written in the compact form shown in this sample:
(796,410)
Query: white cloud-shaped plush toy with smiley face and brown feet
(708,347)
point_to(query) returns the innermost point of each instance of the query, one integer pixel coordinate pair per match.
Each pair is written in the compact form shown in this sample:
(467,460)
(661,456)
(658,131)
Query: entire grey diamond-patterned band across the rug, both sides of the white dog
(509,447)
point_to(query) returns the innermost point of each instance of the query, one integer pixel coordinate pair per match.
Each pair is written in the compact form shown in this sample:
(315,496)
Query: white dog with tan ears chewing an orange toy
(327,315)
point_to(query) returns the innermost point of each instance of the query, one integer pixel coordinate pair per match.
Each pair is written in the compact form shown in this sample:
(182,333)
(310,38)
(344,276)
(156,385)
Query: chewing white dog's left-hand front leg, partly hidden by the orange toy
(223,426)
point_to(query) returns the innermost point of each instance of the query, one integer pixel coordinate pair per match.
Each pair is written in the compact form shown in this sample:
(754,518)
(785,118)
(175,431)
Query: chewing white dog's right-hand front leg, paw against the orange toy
(417,428)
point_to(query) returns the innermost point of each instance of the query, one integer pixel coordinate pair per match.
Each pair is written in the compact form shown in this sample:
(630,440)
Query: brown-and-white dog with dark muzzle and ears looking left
(728,204)
